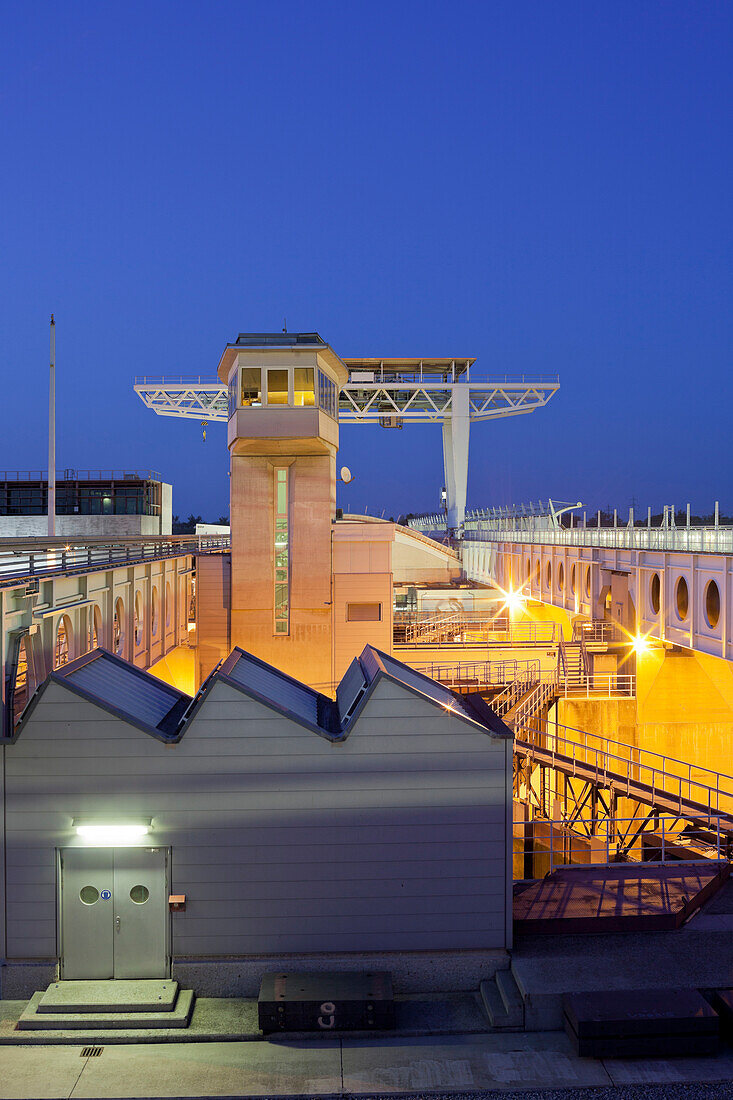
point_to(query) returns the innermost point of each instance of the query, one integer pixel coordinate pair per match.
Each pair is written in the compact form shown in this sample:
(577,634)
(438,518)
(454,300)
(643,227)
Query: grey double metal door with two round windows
(114,912)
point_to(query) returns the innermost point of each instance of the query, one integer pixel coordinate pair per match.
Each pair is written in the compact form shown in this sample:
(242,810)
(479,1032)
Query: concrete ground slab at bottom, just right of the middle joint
(466,1063)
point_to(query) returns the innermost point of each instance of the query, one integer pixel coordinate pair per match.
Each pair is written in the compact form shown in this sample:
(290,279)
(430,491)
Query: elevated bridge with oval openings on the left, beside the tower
(61,598)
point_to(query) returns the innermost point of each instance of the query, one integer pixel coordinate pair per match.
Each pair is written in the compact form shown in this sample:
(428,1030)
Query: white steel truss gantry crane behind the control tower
(391,393)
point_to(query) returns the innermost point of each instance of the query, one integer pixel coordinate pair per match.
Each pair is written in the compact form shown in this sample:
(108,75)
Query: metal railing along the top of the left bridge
(26,559)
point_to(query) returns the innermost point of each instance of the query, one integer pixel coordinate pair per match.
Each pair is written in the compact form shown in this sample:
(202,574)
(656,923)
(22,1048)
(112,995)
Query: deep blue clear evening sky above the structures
(543,185)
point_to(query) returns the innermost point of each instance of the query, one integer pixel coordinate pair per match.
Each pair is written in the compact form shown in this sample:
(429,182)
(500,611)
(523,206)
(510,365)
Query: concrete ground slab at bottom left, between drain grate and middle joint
(212,1070)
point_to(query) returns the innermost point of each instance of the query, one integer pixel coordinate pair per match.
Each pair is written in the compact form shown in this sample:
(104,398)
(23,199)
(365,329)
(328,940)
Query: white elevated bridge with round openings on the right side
(670,582)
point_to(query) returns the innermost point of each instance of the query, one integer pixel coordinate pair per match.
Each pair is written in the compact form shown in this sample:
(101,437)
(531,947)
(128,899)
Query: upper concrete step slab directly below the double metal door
(115,996)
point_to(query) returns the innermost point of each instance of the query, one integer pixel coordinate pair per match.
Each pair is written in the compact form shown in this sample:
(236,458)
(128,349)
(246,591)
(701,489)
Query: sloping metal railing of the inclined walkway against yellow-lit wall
(676,786)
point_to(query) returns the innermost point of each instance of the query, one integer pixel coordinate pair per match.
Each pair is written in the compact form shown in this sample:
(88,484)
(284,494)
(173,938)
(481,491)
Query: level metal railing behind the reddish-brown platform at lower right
(555,843)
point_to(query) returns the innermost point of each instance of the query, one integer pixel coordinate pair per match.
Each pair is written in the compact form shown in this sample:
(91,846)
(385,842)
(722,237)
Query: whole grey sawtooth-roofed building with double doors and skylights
(378,824)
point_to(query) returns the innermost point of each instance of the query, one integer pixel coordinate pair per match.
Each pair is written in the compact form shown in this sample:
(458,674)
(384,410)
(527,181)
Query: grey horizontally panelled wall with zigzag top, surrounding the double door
(283,842)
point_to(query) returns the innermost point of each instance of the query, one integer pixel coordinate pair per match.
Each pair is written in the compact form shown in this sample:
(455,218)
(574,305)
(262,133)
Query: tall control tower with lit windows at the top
(283,437)
